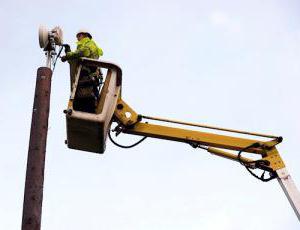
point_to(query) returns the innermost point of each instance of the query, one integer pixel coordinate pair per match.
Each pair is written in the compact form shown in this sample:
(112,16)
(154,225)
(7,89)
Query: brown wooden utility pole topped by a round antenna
(33,195)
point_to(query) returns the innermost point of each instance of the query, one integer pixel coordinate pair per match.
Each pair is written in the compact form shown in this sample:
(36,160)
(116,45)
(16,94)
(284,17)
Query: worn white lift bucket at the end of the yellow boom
(88,131)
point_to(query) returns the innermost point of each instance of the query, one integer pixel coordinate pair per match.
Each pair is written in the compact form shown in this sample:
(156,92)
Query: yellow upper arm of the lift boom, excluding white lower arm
(131,123)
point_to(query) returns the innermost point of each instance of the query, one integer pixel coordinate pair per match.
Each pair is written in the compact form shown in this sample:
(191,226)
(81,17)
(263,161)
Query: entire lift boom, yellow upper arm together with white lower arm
(131,123)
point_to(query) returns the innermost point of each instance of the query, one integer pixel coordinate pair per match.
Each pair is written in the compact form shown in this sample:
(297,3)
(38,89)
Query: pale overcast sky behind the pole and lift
(228,63)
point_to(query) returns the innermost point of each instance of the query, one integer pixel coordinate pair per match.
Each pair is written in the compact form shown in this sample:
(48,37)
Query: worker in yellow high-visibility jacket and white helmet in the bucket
(90,77)
